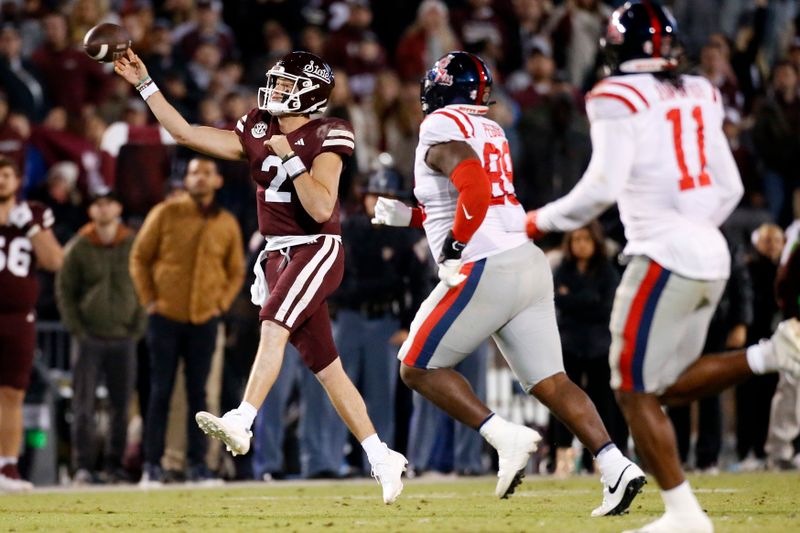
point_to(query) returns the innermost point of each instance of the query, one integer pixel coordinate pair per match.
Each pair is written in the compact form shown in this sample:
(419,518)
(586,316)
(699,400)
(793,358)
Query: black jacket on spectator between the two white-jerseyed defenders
(585,310)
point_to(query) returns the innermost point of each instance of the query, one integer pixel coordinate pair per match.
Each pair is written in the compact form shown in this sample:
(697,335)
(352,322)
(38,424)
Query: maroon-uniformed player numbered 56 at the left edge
(26,242)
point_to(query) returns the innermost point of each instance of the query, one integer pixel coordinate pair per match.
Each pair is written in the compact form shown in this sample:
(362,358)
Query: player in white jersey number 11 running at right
(659,152)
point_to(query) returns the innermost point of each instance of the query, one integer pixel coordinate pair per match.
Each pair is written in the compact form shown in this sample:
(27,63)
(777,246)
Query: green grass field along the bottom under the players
(737,503)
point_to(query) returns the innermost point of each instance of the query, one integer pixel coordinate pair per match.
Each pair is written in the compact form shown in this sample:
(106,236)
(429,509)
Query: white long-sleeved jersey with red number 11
(658,151)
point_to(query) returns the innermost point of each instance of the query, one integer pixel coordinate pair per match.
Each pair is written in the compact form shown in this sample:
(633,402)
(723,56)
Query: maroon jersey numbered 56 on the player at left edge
(19,286)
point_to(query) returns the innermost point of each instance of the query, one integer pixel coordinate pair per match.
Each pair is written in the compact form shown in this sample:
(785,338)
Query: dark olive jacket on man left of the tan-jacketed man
(94,288)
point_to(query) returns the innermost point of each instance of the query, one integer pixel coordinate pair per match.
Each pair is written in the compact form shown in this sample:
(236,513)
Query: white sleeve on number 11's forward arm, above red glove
(613,149)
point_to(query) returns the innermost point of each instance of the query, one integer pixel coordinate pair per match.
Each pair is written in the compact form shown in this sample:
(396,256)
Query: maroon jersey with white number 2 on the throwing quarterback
(279,209)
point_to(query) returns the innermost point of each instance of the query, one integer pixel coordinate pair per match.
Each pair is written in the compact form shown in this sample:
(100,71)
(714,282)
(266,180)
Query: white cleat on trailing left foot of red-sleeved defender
(514,444)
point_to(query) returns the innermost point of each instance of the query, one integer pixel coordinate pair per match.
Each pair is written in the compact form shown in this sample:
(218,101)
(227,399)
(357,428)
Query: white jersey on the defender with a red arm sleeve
(504,225)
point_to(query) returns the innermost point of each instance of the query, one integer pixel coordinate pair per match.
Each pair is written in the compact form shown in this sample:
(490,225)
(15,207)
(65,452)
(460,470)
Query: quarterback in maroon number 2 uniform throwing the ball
(296,162)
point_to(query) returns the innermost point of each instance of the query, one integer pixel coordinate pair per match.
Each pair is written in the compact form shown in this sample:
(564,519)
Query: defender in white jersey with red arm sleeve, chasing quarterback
(494,282)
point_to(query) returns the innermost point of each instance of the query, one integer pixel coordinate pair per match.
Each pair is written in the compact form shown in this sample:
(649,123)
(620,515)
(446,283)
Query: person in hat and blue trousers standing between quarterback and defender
(384,282)
